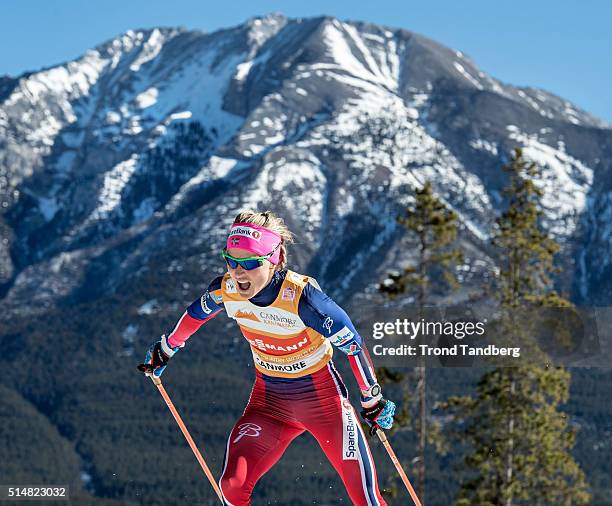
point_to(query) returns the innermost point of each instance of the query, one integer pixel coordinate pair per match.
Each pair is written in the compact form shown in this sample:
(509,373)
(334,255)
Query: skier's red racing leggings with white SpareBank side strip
(281,409)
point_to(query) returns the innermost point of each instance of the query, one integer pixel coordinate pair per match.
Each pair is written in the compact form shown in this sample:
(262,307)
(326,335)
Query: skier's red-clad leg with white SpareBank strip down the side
(335,425)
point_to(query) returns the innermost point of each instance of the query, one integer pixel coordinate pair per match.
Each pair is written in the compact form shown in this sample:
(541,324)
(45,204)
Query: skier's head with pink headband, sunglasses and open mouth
(260,235)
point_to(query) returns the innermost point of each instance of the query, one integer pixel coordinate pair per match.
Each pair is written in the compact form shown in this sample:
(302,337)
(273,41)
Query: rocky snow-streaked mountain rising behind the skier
(142,151)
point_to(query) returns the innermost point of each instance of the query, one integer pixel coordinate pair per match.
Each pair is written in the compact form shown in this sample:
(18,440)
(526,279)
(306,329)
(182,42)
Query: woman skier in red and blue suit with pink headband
(292,327)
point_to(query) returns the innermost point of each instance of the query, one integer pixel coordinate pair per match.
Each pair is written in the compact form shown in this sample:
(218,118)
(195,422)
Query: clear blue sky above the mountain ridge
(562,46)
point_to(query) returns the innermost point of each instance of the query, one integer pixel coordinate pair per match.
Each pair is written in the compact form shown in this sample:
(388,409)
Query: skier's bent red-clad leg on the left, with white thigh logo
(255,444)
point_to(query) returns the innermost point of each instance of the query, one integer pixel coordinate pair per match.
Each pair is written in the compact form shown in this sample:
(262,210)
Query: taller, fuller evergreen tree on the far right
(520,441)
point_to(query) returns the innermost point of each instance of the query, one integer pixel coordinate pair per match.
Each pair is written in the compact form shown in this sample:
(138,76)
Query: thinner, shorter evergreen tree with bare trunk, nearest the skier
(435,229)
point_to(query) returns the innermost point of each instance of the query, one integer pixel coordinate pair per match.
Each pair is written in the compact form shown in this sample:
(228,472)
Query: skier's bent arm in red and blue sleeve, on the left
(197,314)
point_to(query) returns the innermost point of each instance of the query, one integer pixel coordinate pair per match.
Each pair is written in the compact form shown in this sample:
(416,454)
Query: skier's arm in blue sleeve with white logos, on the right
(321,313)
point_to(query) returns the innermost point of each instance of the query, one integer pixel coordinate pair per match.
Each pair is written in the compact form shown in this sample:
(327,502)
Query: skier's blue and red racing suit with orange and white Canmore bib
(292,327)
